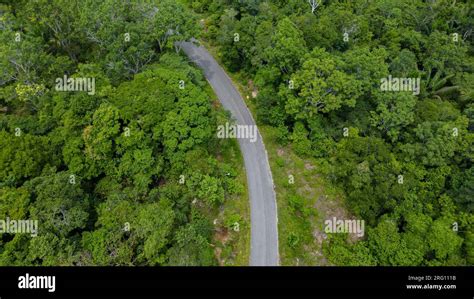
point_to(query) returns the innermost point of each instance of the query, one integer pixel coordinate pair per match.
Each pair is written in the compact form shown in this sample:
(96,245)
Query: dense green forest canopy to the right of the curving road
(404,159)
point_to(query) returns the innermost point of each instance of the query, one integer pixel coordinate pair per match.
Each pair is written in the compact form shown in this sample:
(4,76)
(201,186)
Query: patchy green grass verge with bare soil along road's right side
(305,199)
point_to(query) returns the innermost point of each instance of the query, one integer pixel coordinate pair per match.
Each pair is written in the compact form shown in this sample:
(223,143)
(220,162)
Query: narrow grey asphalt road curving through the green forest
(263,211)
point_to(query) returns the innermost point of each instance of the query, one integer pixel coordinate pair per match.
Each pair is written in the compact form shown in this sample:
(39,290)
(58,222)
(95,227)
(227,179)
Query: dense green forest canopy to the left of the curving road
(128,174)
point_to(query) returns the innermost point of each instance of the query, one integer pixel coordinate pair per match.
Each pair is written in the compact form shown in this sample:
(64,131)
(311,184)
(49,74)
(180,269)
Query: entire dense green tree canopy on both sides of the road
(107,134)
